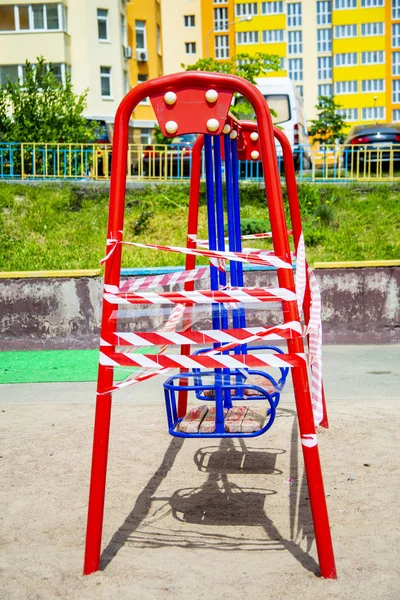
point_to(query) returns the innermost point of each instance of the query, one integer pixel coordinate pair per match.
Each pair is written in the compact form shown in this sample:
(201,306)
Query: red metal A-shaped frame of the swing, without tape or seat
(194,85)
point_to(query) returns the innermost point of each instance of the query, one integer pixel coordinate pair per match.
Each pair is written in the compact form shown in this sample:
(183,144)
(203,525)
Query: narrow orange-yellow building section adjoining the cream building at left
(145,44)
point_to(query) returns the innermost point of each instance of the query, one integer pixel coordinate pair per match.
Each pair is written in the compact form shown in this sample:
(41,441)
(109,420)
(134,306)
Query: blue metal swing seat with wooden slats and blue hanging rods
(227,387)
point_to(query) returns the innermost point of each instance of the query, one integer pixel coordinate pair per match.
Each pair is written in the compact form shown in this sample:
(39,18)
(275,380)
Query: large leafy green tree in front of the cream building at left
(40,109)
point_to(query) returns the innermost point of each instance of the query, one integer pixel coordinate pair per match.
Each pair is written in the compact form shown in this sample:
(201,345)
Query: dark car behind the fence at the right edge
(368,146)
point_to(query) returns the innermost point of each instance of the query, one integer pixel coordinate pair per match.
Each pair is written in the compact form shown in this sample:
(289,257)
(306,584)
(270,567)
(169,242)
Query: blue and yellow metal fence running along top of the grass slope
(338,163)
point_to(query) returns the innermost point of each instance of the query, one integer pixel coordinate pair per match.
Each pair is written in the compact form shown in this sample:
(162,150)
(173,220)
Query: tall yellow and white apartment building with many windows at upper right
(346,48)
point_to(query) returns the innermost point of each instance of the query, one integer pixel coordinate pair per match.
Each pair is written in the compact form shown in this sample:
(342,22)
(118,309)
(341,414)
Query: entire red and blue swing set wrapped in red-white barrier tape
(234,368)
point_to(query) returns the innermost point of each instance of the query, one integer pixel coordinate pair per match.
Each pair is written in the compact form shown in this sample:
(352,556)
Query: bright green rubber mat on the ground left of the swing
(45,366)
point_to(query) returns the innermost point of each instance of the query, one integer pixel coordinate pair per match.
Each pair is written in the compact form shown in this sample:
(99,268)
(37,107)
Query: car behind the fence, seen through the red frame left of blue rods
(173,160)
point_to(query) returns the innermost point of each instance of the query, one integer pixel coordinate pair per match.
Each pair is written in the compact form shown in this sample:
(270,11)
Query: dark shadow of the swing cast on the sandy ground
(220,502)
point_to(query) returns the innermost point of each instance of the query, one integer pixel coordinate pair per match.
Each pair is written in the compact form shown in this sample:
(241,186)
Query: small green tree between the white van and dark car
(329,126)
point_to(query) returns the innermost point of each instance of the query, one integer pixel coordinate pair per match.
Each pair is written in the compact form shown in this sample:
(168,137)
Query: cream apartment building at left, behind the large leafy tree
(86,39)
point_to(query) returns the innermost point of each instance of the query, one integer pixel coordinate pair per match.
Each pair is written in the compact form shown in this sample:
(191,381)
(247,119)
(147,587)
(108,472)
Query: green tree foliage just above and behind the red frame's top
(248,66)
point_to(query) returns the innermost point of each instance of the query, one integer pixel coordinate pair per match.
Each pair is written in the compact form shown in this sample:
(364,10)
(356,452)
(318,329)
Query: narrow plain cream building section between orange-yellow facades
(183,33)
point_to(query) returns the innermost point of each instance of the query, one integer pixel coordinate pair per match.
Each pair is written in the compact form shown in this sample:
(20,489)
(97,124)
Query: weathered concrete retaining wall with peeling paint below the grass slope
(359,306)
